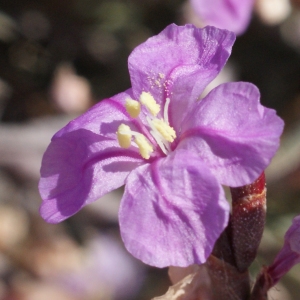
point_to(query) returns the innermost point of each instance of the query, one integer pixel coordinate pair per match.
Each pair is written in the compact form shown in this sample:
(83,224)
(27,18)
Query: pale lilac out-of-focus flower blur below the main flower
(105,269)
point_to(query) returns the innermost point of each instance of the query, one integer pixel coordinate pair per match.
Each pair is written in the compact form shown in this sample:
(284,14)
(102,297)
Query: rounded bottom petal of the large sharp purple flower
(172,211)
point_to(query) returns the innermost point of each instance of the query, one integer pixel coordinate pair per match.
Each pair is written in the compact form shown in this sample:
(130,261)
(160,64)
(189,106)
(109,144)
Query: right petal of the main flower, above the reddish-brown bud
(233,133)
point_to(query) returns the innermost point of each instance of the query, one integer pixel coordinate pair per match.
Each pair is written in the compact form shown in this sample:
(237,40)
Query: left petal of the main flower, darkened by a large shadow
(84,161)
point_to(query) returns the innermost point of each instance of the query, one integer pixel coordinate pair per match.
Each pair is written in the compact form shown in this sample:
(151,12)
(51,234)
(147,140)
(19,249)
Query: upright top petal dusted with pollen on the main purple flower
(178,63)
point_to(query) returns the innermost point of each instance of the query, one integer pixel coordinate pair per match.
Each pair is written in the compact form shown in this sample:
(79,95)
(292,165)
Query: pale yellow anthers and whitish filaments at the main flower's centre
(159,129)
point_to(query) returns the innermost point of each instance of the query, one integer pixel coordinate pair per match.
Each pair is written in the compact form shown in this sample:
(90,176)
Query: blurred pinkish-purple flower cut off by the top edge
(233,15)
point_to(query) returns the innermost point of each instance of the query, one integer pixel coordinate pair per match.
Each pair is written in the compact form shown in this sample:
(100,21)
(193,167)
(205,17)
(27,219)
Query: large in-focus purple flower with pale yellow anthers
(171,150)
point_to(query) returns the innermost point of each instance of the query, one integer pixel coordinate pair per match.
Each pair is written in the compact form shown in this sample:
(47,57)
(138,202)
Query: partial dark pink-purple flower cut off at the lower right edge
(289,255)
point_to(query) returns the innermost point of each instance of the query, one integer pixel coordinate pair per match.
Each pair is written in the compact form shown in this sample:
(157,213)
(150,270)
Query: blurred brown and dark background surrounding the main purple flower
(59,57)
